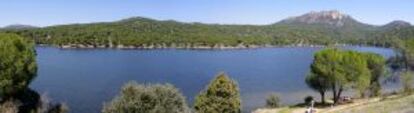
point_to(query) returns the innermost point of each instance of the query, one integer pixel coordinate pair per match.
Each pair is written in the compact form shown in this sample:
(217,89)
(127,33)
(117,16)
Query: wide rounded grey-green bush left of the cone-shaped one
(136,98)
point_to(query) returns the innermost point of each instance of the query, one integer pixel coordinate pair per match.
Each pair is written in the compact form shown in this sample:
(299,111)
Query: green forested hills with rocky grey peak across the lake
(315,28)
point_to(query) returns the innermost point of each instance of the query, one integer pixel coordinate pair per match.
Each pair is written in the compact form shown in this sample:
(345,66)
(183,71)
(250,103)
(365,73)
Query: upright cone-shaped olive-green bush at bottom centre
(221,96)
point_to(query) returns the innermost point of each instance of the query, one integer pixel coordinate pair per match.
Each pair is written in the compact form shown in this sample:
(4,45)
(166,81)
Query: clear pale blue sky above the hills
(52,12)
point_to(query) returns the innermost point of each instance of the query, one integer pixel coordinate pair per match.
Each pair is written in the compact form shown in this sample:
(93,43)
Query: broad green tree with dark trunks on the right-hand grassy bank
(339,70)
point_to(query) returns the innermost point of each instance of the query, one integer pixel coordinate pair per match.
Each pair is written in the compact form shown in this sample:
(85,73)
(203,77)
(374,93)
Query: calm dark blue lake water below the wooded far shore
(86,78)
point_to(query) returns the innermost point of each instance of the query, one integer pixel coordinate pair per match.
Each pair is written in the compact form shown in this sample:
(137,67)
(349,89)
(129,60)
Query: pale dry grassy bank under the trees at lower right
(391,104)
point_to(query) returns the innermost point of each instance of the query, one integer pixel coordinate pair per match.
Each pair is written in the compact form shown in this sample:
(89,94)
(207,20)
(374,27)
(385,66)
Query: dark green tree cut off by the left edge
(17,64)
